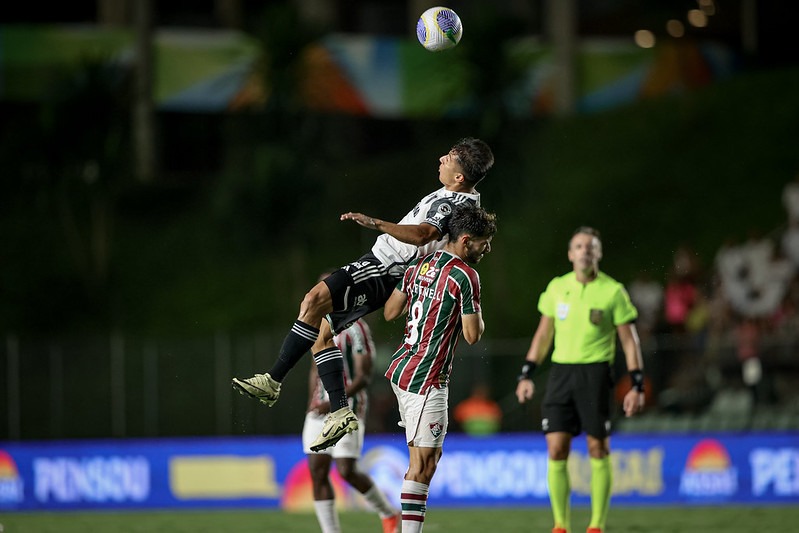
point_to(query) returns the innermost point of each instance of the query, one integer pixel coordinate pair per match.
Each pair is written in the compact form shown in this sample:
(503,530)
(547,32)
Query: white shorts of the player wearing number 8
(424,416)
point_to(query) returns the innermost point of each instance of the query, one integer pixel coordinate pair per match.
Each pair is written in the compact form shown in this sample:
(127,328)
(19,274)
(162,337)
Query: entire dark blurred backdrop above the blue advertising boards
(172,176)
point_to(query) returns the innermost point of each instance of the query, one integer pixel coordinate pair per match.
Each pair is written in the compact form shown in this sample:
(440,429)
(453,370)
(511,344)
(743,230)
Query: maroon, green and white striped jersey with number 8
(440,287)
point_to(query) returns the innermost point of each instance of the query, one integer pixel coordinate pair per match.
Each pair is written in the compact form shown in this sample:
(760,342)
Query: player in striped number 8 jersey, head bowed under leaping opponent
(440,292)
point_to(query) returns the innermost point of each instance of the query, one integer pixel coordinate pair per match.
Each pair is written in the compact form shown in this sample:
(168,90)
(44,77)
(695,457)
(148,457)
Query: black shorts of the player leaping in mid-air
(357,289)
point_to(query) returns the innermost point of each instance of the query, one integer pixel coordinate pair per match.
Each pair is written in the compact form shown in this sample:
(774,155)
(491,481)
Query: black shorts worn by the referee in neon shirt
(578,399)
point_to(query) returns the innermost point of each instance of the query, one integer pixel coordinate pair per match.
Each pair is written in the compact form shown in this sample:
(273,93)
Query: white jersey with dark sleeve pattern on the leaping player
(434,209)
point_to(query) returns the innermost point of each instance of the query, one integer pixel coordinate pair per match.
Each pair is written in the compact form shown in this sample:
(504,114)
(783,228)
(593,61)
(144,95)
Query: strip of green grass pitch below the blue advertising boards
(737,519)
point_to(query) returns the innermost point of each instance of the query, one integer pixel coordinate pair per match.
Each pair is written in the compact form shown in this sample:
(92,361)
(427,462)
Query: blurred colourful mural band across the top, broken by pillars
(213,71)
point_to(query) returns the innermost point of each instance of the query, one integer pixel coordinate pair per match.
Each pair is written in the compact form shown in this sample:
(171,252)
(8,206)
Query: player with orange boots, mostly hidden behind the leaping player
(358,349)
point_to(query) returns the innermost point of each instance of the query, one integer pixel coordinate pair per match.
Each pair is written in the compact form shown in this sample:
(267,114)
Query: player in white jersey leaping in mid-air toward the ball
(364,285)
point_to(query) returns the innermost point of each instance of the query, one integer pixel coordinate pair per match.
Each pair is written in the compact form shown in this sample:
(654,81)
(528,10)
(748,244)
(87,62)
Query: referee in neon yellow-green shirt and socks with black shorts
(582,312)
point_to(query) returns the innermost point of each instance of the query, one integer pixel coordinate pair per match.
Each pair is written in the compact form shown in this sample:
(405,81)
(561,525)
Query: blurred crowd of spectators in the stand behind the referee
(732,323)
